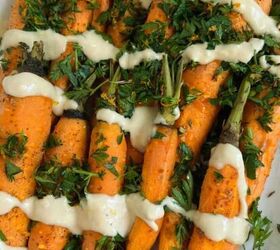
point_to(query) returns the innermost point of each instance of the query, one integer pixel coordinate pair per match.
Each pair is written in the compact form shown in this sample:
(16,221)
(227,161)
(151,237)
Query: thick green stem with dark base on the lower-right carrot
(231,130)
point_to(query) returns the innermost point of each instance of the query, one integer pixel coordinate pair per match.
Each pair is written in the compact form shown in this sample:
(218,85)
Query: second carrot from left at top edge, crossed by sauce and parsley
(76,22)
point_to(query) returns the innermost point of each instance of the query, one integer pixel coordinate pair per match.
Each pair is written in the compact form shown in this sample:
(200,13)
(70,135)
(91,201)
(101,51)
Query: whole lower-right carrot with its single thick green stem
(223,196)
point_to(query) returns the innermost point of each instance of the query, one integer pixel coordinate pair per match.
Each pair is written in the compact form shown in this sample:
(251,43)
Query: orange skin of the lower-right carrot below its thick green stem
(224,200)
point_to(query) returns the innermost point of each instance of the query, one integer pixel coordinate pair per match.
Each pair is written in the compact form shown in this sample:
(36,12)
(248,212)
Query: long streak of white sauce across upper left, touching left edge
(93,45)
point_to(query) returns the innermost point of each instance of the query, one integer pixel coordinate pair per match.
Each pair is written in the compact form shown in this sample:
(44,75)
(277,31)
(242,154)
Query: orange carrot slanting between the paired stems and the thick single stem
(198,117)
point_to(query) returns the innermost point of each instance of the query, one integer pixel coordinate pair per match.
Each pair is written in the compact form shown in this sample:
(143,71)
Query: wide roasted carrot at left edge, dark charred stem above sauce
(32,117)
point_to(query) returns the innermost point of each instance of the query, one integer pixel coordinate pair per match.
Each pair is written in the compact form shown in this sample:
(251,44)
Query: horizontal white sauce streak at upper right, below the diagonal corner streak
(242,52)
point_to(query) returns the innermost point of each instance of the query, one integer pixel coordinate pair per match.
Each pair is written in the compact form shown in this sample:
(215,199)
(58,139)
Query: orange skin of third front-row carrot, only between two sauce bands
(110,184)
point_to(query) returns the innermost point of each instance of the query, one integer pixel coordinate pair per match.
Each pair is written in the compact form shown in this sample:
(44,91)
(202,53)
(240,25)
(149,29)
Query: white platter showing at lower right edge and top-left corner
(270,206)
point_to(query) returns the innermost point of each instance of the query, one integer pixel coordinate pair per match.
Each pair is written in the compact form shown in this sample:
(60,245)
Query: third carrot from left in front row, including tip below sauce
(104,138)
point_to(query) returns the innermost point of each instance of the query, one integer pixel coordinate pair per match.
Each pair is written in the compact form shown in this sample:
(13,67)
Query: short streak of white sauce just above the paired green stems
(130,60)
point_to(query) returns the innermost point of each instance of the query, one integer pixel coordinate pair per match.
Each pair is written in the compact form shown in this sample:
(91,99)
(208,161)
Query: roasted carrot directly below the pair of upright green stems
(159,162)
